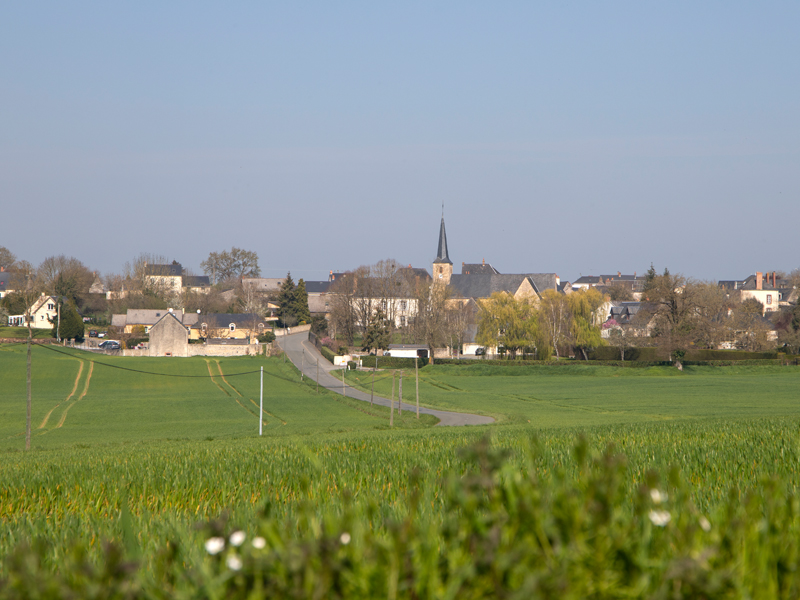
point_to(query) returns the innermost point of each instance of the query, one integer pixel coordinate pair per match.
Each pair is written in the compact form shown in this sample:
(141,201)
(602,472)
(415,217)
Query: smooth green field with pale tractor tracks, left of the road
(82,398)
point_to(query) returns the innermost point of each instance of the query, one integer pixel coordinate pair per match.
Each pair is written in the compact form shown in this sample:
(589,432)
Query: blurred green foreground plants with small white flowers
(505,533)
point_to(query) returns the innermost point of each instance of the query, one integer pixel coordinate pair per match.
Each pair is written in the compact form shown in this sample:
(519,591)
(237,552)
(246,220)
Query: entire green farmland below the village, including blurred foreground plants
(144,459)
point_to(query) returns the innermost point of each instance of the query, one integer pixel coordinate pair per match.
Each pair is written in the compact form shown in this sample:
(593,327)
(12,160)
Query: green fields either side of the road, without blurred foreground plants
(144,458)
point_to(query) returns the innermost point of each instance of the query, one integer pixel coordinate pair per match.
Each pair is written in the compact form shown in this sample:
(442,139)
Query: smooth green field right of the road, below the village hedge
(587,395)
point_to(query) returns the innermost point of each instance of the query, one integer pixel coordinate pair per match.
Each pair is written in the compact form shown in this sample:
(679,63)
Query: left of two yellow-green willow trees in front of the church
(508,322)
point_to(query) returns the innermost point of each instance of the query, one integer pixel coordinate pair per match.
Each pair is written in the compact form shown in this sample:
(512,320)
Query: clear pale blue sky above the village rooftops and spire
(573,137)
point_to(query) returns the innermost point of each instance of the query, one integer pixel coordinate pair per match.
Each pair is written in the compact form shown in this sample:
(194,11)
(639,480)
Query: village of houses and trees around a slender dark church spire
(162,309)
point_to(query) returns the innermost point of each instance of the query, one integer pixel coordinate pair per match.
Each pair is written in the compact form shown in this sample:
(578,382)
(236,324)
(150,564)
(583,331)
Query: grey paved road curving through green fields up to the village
(295,345)
